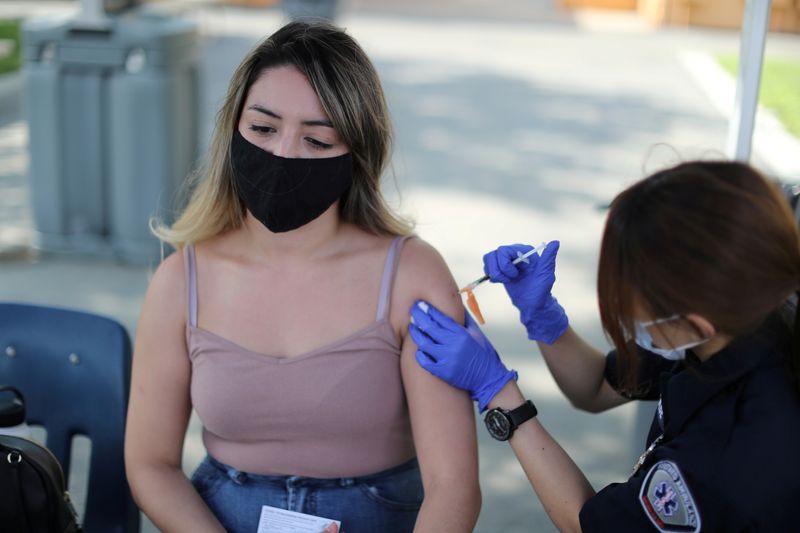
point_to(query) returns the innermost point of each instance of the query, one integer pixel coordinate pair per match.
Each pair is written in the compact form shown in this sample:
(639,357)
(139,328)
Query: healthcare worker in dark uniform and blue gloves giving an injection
(698,266)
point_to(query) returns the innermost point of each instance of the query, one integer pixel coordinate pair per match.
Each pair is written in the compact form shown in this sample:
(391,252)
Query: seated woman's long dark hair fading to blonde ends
(350,92)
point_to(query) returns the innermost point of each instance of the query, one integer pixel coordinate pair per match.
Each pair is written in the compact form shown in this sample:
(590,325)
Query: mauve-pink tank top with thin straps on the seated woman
(337,411)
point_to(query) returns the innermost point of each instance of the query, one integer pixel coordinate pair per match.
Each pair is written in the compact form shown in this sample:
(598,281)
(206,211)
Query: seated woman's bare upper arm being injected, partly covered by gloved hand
(442,416)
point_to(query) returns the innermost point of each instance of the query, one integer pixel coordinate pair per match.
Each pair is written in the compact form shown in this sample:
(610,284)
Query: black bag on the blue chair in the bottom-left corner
(33,495)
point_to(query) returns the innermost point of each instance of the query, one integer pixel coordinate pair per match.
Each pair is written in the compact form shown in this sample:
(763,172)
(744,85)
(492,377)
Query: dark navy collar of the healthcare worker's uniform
(691,388)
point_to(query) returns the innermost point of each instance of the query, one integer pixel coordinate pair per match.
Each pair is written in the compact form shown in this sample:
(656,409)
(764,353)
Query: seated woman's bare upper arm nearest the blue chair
(159,405)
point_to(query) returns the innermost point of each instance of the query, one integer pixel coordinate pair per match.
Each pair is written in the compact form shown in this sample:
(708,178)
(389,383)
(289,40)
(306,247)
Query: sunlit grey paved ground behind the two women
(510,128)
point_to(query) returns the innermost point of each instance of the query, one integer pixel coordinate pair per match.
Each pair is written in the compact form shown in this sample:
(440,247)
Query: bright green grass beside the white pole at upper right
(780,88)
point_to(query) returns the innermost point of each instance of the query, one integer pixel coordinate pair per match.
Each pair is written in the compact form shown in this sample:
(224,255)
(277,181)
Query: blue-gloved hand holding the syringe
(529,283)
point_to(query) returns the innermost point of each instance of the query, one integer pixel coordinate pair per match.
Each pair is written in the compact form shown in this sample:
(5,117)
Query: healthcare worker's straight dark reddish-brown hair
(712,238)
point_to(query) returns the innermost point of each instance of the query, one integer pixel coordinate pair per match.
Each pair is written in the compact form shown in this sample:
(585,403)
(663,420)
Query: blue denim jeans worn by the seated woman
(385,502)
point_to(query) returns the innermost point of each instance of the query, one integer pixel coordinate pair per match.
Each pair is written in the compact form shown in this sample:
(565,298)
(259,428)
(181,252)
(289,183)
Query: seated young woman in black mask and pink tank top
(283,320)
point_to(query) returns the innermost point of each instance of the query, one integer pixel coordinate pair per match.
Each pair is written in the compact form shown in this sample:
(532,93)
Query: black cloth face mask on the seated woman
(284,194)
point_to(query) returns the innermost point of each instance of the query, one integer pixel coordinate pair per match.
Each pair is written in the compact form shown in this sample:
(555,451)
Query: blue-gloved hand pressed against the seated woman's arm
(461,356)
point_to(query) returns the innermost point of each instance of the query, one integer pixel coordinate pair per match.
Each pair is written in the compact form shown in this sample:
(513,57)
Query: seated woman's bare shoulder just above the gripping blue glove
(423,275)
